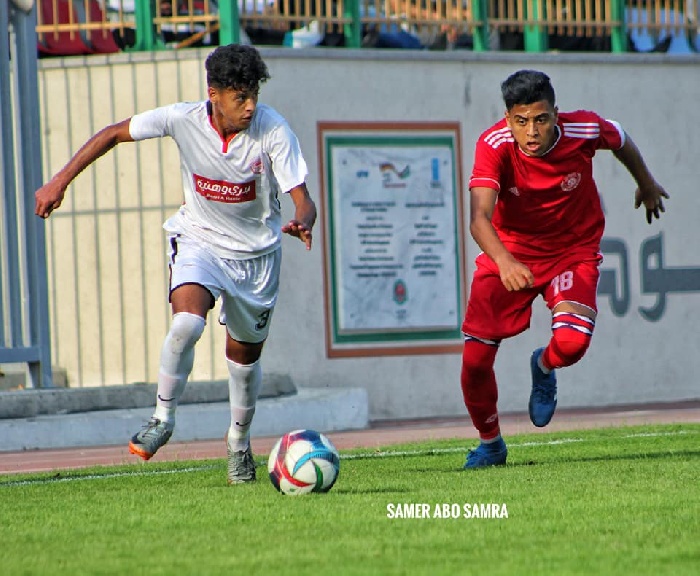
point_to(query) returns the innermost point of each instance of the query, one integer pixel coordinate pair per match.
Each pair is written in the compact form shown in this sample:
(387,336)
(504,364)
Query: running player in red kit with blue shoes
(537,216)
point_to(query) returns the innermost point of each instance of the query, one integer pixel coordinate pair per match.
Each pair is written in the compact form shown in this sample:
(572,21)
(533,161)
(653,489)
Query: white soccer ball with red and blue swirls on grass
(303,461)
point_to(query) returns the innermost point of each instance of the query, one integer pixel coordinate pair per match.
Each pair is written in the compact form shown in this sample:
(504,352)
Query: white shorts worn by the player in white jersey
(248,288)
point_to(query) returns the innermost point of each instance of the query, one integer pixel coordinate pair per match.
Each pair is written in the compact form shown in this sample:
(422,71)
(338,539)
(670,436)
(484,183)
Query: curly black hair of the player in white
(236,66)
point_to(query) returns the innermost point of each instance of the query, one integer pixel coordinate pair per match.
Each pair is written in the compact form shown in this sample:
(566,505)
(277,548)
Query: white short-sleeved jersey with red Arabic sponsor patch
(231,187)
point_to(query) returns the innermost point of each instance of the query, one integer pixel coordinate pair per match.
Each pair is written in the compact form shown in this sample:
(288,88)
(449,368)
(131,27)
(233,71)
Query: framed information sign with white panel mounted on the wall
(394,224)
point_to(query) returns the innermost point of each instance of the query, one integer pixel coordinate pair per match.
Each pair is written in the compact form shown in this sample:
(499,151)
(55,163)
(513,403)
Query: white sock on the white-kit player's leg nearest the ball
(244,385)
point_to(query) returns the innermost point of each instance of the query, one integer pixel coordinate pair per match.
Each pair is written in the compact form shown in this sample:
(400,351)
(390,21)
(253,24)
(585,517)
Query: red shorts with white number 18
(494,313)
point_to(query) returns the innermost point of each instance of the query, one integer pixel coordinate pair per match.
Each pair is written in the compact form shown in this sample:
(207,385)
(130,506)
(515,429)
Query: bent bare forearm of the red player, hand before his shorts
(514,275)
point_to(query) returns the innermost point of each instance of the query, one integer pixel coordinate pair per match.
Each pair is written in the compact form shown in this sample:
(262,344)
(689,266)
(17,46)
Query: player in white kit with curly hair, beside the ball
(225,240)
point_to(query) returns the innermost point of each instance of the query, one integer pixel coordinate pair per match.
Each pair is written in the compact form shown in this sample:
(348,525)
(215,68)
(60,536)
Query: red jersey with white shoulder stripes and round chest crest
(547,206)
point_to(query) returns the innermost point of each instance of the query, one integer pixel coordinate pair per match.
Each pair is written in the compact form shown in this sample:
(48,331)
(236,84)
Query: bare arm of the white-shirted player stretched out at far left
(50,195)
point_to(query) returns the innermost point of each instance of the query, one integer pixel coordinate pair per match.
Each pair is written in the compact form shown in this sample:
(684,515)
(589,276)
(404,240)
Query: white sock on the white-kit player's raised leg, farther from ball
(176,361)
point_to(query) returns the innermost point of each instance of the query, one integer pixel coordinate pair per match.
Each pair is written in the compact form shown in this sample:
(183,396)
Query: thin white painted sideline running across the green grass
(358,456)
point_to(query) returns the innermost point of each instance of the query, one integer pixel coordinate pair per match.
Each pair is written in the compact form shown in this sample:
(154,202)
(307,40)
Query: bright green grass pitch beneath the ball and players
(607,501)
